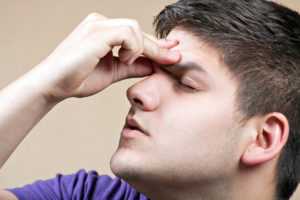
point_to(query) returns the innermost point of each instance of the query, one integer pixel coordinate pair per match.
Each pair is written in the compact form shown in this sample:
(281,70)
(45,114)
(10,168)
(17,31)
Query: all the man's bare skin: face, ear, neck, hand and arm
(196,149)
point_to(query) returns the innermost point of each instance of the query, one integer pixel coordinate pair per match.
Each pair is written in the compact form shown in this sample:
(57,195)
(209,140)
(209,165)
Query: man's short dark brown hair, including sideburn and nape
(260,43)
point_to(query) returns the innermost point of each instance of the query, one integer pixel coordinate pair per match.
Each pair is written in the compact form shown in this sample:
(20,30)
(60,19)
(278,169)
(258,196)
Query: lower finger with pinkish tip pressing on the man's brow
(161,55)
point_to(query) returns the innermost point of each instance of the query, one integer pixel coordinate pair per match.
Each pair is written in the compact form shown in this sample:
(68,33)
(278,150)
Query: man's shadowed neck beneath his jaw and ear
(249,184)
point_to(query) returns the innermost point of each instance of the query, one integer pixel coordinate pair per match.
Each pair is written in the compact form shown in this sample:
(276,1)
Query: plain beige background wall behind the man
(78,133)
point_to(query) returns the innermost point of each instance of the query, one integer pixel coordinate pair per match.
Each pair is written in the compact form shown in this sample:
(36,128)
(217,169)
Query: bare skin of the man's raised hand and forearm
(82,65)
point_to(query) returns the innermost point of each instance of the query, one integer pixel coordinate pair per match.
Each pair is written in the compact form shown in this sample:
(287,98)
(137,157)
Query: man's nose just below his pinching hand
(145,94)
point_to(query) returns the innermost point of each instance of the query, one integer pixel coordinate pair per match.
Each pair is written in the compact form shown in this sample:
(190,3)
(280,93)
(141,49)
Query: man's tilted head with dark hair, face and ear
(210,128)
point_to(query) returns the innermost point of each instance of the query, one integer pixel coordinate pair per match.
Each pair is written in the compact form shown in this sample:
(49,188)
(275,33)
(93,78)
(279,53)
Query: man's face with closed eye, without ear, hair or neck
(193,133)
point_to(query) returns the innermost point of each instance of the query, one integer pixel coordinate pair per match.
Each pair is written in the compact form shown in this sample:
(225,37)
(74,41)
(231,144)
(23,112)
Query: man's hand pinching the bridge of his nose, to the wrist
(83,64)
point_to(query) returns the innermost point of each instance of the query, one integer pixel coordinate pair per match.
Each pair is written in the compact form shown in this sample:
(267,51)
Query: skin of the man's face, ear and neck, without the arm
(194,132)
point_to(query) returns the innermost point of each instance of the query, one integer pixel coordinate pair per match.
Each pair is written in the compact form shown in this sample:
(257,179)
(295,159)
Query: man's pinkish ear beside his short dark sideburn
(271,136)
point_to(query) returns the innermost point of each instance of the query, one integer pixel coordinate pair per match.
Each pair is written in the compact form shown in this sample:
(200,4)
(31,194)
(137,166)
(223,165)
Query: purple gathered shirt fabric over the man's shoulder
(80,186)
